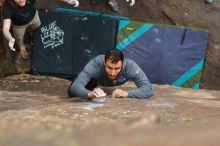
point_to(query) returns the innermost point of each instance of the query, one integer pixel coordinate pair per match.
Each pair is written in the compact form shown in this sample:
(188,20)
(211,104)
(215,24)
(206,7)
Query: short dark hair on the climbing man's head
(114,55)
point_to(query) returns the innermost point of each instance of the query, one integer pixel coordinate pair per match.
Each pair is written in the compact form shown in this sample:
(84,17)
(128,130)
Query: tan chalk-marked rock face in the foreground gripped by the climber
(35,110)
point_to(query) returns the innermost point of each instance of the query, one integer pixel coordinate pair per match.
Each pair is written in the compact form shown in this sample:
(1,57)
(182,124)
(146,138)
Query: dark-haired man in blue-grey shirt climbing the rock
(111,69)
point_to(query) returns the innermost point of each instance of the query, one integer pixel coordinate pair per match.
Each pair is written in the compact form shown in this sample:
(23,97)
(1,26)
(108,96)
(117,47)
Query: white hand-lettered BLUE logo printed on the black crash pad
(52,35)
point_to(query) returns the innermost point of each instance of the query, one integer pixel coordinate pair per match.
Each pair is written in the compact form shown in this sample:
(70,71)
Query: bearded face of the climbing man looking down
(112,69)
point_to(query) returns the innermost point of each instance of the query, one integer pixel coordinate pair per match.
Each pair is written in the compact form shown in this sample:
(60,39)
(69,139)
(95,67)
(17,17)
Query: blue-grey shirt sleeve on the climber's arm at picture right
(144,87)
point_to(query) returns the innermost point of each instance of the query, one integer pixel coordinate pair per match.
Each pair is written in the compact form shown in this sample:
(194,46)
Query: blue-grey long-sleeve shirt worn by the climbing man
(95,70)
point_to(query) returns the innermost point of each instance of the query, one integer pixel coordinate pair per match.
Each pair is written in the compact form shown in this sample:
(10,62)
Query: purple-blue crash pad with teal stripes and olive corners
(167,54)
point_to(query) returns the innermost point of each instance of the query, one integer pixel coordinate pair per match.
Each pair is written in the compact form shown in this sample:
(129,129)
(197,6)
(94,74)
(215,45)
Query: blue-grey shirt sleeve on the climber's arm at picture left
(78,86)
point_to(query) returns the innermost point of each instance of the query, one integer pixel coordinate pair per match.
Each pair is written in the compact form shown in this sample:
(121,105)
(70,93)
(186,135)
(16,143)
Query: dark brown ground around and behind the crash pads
(176,12)
